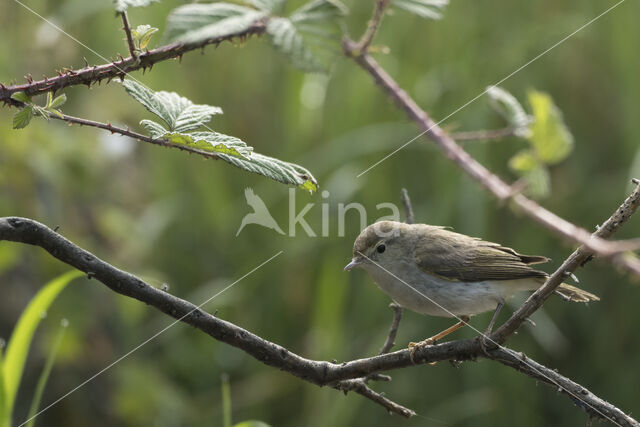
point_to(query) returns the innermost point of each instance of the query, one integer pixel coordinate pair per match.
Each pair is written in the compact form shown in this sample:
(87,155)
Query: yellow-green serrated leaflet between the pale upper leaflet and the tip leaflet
(212,142)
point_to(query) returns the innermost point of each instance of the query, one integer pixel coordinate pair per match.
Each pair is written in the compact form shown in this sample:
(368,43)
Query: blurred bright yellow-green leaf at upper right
(550,137)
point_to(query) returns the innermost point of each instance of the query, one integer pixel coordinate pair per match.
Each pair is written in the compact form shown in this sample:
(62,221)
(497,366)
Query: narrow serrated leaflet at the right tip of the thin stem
(278,170)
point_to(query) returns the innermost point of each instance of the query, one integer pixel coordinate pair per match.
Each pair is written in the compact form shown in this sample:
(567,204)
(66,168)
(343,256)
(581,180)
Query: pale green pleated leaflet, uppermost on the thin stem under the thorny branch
(179,113)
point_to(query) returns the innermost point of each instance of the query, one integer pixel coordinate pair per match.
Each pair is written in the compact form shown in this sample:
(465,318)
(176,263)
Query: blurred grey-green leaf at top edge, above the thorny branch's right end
(194,23)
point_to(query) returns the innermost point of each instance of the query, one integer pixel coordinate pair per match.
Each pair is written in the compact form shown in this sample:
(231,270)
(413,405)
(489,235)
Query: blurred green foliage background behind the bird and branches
(172,218)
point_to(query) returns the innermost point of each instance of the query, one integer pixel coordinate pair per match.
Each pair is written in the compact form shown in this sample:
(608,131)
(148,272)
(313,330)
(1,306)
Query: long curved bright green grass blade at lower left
(20,341)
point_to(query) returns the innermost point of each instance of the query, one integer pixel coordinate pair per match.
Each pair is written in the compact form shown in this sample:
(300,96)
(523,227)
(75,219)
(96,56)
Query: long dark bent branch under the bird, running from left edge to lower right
(317,372)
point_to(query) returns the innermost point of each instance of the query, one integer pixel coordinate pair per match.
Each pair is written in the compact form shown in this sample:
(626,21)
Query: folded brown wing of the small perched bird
(458,257)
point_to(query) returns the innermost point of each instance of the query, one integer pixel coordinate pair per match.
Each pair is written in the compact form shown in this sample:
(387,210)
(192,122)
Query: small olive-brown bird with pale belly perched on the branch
(434,271)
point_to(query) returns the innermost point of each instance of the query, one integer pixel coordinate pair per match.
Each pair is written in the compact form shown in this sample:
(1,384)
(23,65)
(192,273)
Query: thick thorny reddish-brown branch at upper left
(90,75)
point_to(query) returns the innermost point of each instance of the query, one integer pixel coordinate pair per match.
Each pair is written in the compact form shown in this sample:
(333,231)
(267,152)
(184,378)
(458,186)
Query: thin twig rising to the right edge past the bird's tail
(575,260)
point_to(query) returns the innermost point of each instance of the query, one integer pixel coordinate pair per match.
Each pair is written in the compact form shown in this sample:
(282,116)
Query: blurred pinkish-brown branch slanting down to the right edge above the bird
(482,175)
